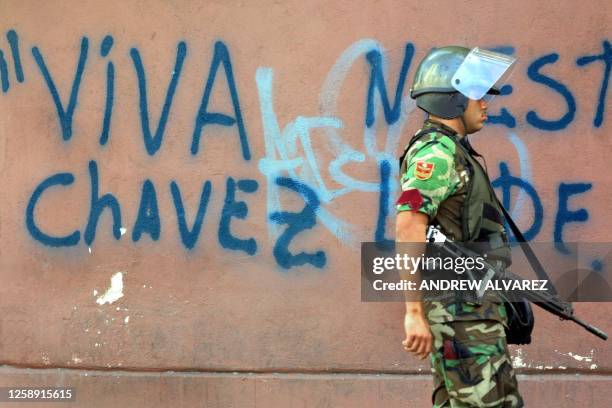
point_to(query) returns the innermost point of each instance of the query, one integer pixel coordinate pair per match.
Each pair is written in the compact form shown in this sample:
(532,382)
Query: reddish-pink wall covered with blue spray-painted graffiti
(186,186)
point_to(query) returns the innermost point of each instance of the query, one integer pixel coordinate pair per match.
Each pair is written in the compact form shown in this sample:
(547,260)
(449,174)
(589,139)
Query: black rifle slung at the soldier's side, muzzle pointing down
(552,303)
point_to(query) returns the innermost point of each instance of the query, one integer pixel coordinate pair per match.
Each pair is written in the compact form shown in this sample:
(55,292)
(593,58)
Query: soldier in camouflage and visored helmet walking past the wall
(444,185)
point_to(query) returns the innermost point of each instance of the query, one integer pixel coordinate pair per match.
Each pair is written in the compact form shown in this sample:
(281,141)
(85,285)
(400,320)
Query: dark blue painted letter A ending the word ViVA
(220,57)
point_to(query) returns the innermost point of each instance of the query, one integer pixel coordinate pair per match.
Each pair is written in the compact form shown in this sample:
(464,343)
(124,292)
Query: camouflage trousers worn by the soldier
(471,366)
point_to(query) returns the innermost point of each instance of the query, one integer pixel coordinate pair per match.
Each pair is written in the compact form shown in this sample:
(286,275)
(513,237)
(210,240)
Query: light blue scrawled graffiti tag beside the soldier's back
(281,148)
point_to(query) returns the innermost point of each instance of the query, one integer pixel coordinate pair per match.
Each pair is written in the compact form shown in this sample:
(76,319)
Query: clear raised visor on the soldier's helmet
(480,71)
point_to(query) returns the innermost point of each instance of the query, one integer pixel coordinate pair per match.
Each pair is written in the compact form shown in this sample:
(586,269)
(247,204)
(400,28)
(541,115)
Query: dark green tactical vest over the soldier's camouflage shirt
(472,215)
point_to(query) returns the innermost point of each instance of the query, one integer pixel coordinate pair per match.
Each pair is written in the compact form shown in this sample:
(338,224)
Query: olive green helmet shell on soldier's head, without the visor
(432,87)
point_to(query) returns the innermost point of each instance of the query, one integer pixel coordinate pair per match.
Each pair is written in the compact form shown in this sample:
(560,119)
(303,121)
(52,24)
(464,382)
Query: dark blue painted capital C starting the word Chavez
(60,179)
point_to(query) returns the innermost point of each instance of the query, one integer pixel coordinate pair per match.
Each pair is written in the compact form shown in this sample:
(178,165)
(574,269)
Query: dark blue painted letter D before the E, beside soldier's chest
(506,181)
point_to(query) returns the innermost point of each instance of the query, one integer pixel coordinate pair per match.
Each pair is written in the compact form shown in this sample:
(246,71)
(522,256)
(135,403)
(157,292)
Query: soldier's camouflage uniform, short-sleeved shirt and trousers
(470,361)
